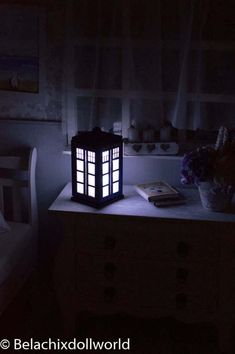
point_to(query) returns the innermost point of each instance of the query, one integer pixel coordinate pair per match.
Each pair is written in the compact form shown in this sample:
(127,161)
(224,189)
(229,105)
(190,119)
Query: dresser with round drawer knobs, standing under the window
(131,257)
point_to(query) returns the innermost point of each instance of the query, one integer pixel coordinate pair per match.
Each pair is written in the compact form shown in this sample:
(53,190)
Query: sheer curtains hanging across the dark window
(152,62)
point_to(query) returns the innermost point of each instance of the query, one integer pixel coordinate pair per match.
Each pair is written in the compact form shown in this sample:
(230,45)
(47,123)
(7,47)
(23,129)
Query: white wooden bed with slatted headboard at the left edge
(18,203)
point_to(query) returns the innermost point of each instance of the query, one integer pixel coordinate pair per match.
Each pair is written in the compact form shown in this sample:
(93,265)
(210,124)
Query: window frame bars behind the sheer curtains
(126,93)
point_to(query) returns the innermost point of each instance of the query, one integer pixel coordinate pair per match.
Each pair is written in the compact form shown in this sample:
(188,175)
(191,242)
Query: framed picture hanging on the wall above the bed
(19,38)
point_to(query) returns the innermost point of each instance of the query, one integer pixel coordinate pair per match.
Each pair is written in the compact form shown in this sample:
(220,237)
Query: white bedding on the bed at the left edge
(14,246)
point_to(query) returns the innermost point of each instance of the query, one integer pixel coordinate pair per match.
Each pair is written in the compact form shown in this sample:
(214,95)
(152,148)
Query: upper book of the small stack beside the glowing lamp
(155,191)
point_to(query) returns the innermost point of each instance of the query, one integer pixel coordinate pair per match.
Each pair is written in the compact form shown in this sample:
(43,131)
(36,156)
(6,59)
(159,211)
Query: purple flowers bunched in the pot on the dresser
(211,164)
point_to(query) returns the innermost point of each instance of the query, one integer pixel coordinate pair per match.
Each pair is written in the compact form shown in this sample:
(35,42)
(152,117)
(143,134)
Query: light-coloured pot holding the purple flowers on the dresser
(214,197)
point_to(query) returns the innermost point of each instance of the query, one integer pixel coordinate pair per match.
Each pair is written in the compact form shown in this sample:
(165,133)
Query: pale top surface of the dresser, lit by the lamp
(135,205)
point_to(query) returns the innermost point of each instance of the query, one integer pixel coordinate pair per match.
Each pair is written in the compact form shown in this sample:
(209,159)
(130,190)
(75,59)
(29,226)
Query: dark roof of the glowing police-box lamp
(96,139)
